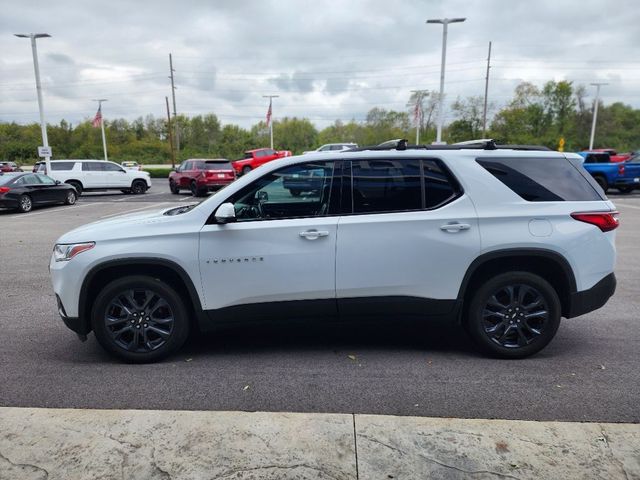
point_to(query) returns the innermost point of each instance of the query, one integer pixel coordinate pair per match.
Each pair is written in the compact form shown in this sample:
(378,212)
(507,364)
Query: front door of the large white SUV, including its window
(280,249)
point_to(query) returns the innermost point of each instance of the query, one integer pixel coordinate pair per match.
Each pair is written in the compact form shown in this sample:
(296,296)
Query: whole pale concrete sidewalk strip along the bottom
(143,444)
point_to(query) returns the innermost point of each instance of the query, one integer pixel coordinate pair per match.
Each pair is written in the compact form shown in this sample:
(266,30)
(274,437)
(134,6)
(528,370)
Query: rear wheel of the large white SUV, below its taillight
(497,317)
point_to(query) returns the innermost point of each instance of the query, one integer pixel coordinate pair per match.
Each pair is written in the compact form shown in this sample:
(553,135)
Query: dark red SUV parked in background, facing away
(201,176)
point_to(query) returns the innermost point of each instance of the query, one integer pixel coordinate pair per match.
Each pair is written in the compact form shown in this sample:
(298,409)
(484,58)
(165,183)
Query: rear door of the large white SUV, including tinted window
(405,239)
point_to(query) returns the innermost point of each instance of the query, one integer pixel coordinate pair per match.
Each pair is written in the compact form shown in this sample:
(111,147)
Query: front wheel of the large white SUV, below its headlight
(139,335)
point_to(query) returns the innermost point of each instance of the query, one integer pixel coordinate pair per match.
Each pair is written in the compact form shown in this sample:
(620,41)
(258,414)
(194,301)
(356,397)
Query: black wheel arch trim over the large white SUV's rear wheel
(548,264)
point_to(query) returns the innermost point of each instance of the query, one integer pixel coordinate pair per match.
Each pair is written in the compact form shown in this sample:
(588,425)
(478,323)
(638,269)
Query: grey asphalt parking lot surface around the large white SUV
(590,372)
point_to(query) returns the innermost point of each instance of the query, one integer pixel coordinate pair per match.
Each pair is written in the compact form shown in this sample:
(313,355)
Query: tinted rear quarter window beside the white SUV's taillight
(542,179)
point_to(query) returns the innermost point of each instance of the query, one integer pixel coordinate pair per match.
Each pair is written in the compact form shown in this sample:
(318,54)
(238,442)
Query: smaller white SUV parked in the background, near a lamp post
(87,175)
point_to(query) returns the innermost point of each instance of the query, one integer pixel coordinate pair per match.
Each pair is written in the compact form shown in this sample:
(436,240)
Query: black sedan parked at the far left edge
(23,191)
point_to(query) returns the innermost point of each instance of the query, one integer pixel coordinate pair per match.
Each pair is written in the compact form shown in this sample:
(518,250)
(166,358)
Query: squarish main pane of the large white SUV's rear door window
(386,186)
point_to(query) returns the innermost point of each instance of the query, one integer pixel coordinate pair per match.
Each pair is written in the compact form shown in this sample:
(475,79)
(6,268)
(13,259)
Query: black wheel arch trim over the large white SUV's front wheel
(166,270)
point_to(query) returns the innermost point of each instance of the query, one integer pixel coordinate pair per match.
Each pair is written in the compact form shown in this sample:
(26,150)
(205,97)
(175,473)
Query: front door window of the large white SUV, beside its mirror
(292,192)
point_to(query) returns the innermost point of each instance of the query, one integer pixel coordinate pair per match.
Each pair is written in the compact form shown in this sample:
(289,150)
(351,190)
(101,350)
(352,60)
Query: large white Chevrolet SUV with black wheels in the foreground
(506,242)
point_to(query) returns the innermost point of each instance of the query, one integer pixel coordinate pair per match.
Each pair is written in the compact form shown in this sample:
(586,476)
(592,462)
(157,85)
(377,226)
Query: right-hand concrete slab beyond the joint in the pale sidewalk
(440,448)
